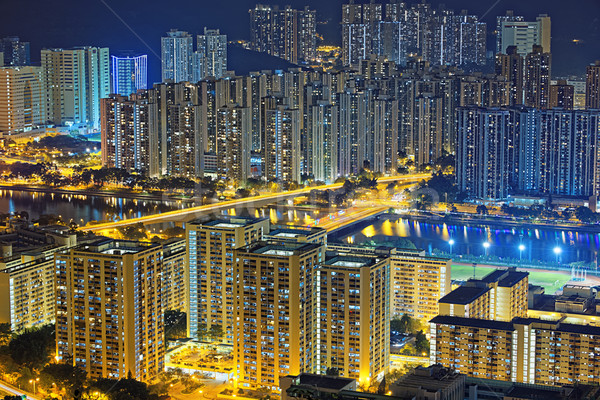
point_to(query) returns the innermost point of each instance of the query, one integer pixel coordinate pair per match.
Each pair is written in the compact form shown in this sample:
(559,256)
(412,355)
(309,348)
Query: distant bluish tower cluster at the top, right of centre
(397,30)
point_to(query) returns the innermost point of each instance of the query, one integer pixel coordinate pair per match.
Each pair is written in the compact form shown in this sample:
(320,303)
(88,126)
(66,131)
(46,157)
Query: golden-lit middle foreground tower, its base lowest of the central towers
(273,311)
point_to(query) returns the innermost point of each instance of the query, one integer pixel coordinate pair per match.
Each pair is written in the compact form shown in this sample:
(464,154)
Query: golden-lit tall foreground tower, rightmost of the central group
(351,294)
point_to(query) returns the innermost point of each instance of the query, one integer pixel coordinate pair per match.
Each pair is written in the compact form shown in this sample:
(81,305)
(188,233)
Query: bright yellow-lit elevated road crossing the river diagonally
(189,214)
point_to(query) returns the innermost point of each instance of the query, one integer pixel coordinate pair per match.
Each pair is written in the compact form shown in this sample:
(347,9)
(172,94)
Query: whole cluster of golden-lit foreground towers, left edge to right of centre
(286,300)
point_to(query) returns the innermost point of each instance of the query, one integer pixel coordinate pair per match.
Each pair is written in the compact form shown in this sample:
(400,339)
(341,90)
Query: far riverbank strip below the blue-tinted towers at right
(504,221)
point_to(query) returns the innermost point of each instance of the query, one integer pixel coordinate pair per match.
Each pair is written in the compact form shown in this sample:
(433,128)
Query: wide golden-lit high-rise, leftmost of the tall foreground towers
(109,311)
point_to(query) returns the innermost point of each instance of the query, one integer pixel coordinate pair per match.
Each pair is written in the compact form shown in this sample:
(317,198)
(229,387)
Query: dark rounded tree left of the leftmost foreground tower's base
(33,347)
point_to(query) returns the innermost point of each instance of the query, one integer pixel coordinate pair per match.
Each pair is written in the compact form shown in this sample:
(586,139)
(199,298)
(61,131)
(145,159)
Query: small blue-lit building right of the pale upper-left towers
(129,74)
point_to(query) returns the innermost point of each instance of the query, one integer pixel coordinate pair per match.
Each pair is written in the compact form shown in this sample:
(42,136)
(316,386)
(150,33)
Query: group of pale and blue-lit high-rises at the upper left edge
(65,89)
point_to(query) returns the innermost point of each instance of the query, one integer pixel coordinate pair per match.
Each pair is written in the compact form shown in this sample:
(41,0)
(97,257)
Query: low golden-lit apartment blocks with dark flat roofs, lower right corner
(502,328)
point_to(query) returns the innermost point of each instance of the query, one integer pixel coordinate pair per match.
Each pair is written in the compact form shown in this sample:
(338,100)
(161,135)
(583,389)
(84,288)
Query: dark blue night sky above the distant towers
(67,23)
